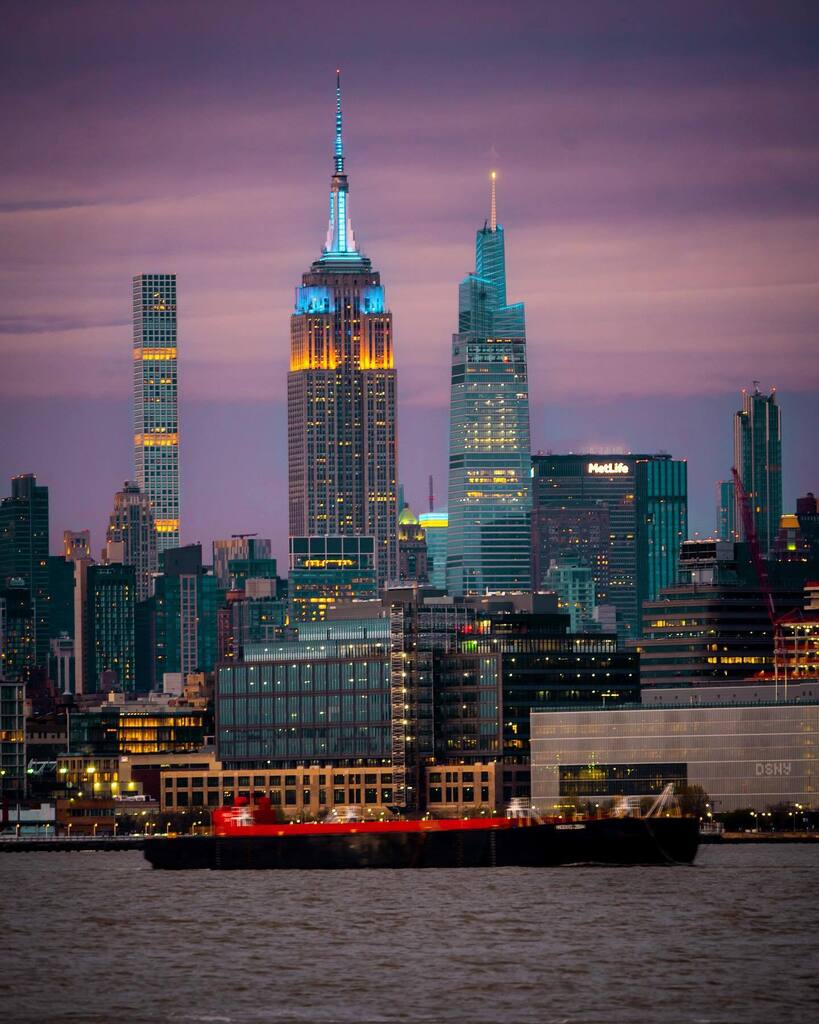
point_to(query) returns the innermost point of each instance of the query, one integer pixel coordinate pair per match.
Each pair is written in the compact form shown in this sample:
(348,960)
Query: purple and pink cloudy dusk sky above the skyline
(659,169)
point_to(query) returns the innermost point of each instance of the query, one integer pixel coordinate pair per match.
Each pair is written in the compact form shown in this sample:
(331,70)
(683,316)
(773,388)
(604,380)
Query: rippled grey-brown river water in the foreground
(102,938)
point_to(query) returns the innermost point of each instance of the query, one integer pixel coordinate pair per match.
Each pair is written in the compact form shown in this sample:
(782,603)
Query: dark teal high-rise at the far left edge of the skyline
(24,552)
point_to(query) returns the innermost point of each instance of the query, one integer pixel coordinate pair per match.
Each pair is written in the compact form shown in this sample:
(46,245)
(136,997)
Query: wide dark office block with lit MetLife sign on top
(646,497)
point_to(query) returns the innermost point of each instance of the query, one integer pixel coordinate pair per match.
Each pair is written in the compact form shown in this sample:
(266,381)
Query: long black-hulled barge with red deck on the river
(247,837)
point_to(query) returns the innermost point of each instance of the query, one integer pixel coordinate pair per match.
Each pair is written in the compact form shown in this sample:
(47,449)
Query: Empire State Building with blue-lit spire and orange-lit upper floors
(341,392)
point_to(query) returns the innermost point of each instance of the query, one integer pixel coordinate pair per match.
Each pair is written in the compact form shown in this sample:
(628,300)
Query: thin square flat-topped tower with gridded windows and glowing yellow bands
(156,416)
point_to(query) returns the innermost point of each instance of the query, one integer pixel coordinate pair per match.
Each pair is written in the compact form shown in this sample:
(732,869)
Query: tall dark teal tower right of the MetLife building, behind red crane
(758,457)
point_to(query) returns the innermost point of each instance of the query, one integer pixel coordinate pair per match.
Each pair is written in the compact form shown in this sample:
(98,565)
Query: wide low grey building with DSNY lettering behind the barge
(744,756)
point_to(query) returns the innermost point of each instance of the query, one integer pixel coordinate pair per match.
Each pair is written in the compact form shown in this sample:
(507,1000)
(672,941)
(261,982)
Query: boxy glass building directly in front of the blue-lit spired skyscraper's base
(329,571)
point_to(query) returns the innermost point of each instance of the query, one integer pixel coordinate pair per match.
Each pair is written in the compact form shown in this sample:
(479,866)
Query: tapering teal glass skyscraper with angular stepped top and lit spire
(489,542)
